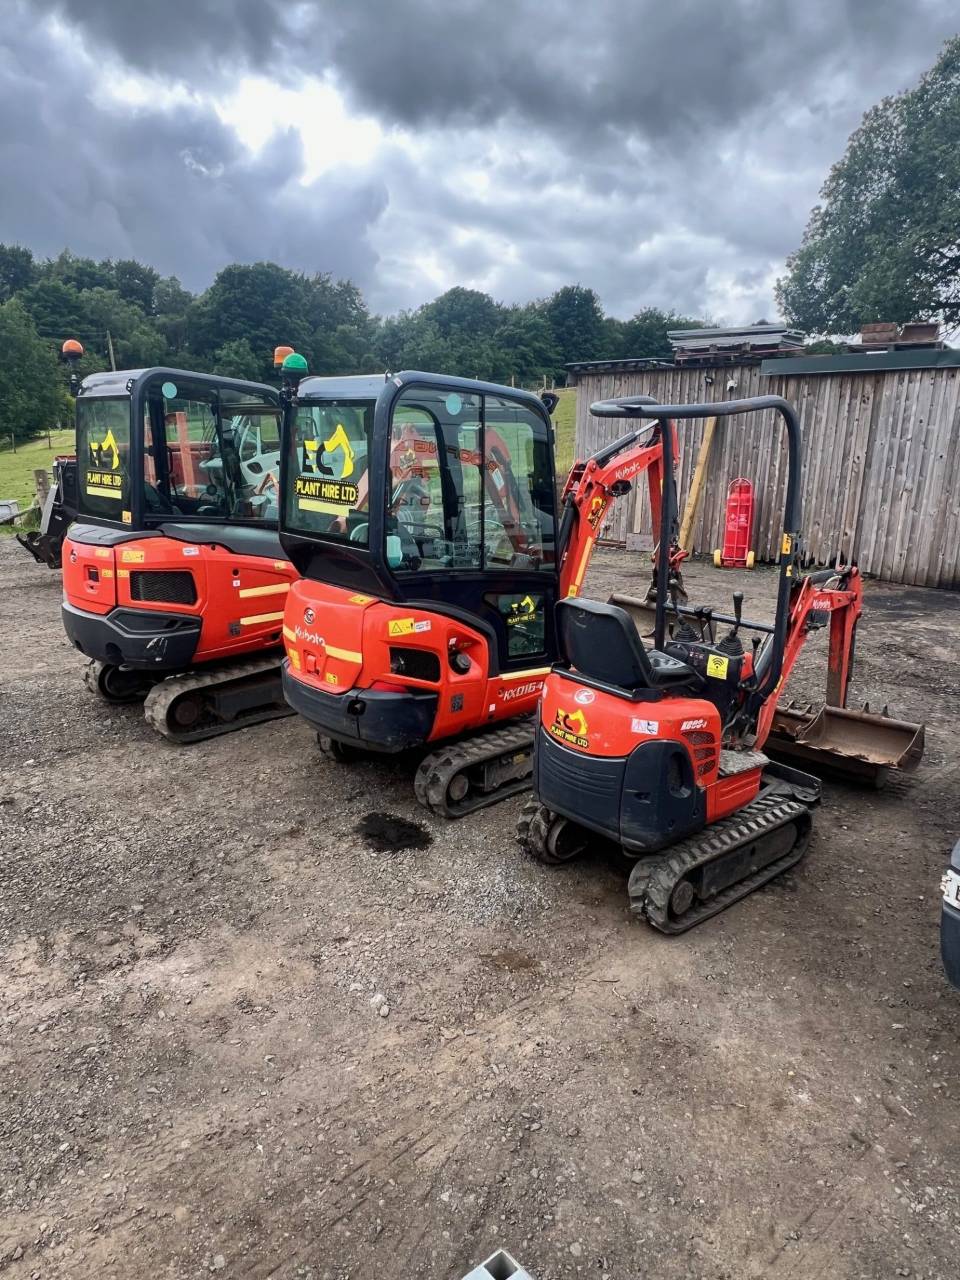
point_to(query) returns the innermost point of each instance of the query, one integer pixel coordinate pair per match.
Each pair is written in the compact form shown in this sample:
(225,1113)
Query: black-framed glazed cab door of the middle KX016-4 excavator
(472,515)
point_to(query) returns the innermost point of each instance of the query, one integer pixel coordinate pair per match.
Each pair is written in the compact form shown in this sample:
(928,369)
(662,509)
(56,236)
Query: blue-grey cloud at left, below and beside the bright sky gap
(167,184)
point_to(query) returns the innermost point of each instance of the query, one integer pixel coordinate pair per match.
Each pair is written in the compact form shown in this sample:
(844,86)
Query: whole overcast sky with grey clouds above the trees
(664,152)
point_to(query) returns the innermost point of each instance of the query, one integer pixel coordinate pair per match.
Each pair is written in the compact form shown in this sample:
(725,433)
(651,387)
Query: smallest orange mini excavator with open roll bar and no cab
(661,749)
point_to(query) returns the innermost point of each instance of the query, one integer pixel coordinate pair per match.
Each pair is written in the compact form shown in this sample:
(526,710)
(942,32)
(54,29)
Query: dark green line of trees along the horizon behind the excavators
(234,327)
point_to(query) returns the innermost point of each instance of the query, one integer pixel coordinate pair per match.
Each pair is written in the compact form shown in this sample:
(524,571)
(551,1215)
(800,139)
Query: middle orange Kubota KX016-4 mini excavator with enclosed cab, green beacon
(422,514)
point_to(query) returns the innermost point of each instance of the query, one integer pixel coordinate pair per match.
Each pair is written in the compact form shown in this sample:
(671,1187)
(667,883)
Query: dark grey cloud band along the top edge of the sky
(661,70)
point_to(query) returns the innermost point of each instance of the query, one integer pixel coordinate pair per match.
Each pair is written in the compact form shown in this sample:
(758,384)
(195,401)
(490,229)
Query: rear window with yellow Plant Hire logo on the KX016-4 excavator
(327,464)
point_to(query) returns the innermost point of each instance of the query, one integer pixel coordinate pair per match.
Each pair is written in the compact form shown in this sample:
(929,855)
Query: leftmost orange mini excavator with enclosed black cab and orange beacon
(175,579)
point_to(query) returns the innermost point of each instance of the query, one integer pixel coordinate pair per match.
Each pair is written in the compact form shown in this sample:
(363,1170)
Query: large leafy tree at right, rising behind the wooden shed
(884,245)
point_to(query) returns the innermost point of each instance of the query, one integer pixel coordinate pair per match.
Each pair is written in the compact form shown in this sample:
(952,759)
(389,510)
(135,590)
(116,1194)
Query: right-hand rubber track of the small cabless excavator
(655,880)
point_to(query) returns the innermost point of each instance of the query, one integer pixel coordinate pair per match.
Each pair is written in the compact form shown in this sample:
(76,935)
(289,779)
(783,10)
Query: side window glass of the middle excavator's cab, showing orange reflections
(472,484)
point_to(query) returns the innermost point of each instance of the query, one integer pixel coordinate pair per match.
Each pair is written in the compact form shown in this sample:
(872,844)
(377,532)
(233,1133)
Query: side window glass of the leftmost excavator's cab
(211,454)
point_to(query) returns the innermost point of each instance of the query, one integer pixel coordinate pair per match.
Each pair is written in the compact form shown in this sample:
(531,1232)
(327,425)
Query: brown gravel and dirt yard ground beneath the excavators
(239,1039)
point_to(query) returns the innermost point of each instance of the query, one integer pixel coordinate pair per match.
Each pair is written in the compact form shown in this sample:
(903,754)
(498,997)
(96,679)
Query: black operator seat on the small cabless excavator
(604,644)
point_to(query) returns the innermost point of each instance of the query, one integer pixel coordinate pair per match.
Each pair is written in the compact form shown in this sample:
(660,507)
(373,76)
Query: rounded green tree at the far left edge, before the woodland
(30,380)
